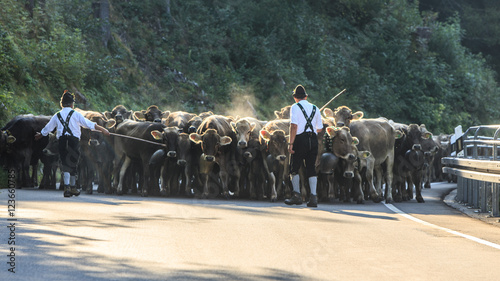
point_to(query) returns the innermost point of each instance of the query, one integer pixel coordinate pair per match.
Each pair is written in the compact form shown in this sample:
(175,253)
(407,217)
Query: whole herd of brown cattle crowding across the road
(205,155)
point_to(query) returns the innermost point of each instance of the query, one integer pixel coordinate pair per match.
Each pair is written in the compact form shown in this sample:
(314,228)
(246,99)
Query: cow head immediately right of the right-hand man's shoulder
(343,143)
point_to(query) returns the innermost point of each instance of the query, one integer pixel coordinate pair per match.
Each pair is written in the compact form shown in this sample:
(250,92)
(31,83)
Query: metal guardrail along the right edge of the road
(477,168)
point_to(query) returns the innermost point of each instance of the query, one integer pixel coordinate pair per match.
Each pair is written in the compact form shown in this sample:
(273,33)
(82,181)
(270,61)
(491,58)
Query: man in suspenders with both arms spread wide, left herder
(68,122)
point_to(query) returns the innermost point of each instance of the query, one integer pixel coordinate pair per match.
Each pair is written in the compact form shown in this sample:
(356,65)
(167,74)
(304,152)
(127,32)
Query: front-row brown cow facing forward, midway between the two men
(218,143)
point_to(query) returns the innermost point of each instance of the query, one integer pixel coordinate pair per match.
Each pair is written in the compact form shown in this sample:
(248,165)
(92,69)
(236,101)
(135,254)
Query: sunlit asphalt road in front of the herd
(102,237)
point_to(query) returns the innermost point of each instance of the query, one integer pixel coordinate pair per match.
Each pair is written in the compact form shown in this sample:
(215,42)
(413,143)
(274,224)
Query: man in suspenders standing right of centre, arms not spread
(305,123)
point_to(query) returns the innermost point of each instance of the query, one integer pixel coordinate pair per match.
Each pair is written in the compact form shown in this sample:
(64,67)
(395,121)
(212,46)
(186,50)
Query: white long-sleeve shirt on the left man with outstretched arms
(76,121)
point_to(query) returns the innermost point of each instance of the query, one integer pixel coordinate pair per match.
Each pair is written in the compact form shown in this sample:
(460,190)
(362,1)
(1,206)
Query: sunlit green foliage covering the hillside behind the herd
(394,60)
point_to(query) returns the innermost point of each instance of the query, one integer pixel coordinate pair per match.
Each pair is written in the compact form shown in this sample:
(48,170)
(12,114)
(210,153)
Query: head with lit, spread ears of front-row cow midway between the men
(210,142)
